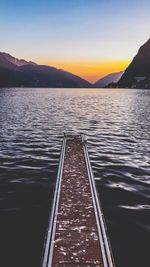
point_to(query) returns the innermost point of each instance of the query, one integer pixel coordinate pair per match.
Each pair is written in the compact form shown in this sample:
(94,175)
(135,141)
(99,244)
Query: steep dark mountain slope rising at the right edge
(138,72)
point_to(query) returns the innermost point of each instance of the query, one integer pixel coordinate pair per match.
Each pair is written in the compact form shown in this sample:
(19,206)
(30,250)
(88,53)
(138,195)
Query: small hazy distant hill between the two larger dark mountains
(110,78)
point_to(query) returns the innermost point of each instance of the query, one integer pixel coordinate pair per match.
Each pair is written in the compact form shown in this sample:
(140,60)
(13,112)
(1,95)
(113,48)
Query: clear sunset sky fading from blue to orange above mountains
(90,38)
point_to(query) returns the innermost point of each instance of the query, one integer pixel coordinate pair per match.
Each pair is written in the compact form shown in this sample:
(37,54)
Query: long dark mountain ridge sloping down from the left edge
(20,73)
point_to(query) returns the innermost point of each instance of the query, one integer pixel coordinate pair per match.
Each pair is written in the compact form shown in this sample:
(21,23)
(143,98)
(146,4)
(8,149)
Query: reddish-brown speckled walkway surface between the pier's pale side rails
(76,242)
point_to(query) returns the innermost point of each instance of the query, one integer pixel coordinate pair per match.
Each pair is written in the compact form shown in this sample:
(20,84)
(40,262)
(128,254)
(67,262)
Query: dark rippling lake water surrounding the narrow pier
(117,125)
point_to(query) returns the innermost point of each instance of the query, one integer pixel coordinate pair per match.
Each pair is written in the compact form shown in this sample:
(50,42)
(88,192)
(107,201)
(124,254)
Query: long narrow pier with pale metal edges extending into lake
(77,234)
